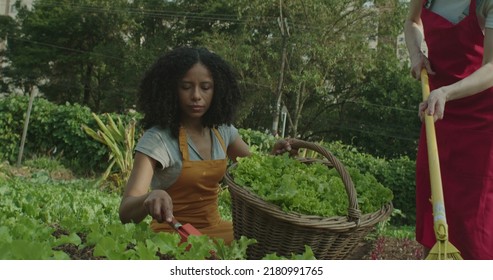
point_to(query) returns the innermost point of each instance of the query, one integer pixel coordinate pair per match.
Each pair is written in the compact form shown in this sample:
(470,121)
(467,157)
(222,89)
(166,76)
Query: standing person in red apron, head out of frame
(460,67)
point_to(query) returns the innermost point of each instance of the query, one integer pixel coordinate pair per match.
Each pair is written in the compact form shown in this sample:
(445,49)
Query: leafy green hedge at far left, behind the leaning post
(54,130)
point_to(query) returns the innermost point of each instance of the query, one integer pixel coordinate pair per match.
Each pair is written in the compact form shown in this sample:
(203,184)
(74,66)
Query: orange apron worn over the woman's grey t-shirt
(195,194)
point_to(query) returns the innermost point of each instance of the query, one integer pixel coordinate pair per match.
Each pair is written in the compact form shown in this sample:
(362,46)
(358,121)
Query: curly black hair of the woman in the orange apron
(158,91)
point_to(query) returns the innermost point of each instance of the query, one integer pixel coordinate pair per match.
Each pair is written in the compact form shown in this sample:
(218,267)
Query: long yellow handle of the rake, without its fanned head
(439,219)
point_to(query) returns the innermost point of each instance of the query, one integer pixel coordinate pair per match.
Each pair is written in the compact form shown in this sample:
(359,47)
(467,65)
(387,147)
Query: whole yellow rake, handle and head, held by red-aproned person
(443,249)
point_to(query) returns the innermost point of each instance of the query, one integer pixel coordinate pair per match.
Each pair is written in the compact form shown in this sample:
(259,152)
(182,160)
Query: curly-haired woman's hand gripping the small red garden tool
(159,205)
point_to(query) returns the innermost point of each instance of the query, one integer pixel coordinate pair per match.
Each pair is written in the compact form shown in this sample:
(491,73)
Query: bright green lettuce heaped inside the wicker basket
(310,189)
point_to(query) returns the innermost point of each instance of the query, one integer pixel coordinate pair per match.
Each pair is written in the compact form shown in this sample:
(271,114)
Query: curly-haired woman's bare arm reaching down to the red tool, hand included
(137,201)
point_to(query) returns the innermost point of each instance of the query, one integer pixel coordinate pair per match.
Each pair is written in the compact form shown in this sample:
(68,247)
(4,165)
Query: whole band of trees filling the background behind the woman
(314,57)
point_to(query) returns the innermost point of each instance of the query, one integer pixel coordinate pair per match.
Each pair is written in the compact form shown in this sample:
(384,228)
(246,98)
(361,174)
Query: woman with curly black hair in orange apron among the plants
(188,98)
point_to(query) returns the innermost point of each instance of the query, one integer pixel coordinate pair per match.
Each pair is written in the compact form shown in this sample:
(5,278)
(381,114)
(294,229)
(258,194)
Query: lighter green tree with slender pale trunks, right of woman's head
(305,55)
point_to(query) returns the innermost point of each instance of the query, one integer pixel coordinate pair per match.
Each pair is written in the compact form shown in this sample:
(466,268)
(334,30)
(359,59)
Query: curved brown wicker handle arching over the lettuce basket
(354,214)
